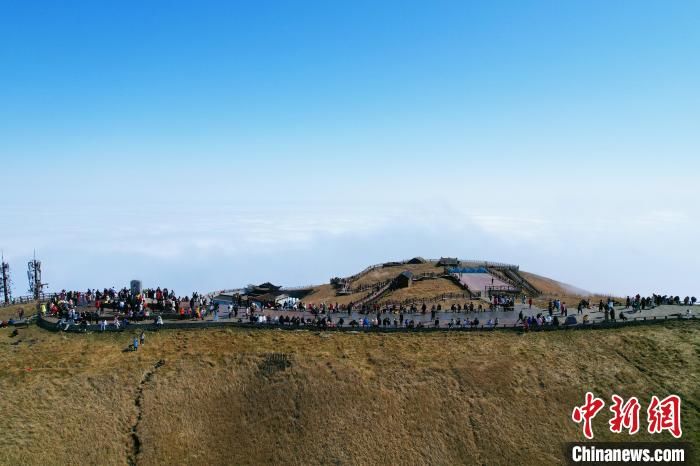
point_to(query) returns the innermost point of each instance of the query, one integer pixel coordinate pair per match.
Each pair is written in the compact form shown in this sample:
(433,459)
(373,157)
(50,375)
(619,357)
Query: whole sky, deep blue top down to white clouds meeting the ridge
(203,145)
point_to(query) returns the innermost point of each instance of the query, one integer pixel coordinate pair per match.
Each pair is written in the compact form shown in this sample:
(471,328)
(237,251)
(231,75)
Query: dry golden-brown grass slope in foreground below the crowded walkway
(439,398)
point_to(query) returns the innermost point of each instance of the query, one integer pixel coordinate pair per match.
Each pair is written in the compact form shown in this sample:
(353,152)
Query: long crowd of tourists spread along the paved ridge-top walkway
(111,309)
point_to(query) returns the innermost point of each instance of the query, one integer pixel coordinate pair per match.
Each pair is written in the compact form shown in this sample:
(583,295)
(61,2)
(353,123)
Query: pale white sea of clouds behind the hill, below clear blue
(602,248)
